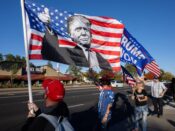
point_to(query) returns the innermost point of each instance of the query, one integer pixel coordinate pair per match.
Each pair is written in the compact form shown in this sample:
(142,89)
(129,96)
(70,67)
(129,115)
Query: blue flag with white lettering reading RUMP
(134,53)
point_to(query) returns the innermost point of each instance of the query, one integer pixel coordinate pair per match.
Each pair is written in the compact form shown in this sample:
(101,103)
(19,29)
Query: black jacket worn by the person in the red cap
(41,124)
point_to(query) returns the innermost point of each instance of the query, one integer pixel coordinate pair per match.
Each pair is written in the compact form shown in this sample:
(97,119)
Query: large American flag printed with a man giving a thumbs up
(72,38)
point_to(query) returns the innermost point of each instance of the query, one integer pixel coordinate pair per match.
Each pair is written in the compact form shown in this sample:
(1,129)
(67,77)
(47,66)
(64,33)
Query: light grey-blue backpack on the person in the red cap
(60,124)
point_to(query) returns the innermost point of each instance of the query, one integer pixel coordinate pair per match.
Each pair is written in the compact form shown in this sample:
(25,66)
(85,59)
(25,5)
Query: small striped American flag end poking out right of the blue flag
(154,68)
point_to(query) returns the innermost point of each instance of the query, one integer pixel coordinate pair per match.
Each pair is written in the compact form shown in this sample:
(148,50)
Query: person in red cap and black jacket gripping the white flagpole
(53,106)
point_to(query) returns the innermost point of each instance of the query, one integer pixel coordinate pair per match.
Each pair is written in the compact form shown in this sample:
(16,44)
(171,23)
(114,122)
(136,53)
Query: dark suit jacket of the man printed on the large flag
(73,56)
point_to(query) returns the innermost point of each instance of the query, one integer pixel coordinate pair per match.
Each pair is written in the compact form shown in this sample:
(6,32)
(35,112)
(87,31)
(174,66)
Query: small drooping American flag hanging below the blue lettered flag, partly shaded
(128,78)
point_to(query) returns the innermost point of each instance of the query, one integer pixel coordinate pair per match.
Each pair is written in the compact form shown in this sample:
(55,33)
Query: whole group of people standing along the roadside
(54,105)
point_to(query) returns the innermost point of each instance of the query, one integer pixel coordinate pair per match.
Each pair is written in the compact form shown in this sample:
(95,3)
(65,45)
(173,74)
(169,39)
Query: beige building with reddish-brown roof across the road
(38,74)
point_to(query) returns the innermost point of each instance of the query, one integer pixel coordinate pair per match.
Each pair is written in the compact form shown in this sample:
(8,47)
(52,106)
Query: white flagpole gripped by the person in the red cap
(26,51)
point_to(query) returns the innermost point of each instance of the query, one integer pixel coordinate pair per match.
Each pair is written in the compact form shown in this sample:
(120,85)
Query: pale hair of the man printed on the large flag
(75,18)
